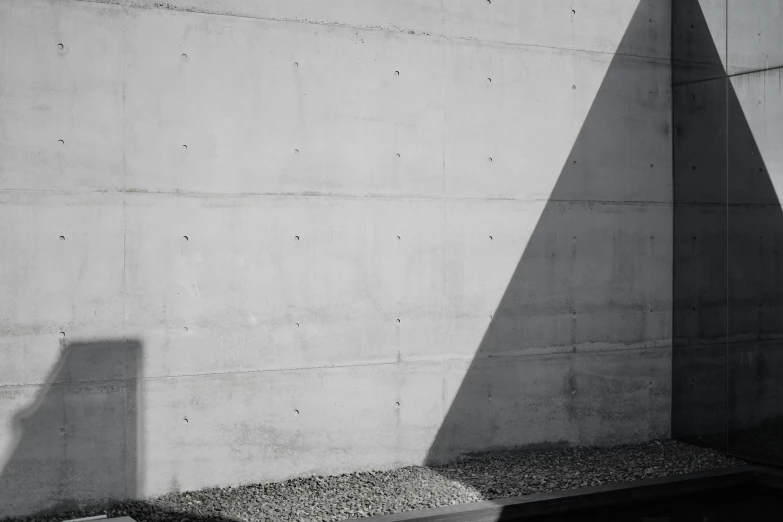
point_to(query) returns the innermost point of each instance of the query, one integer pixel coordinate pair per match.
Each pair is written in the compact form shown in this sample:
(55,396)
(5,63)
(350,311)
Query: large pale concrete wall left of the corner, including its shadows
(248,241)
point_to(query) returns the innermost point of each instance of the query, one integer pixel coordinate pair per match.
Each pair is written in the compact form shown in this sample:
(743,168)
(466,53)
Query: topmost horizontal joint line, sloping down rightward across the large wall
(396,30)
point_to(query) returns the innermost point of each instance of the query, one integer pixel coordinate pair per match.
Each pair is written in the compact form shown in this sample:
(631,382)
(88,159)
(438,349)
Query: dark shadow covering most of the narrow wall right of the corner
(726,294)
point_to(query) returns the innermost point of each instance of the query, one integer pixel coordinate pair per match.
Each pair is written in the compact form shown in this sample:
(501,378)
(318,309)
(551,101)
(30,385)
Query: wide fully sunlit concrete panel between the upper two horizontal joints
(310,109)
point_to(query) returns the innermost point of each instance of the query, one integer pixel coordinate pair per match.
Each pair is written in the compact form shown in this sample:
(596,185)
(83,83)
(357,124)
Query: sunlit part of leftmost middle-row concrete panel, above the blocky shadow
(61,277)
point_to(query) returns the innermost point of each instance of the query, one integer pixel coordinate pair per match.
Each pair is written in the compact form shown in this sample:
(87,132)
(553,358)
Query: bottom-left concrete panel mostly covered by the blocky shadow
(68,445)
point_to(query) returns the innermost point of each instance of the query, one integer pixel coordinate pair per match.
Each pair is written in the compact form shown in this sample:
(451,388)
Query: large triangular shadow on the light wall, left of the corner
(588,274)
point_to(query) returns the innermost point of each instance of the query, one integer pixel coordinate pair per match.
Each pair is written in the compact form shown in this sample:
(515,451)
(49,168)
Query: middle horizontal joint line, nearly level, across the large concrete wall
(239,195)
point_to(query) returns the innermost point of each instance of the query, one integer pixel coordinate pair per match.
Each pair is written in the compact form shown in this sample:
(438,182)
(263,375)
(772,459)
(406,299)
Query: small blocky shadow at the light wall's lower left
(78,439)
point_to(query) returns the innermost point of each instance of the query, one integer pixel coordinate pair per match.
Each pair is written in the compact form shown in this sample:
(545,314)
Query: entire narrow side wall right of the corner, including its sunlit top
(728,226)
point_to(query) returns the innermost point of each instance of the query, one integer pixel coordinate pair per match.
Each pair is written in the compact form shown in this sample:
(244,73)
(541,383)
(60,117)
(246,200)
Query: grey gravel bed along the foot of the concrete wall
(471,479)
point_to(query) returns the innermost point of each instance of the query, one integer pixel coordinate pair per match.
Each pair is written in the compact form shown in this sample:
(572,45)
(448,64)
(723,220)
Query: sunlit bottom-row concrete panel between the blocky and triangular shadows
(326,421)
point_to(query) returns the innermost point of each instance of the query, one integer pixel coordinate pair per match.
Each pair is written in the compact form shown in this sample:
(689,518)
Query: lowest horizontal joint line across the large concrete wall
(388,362)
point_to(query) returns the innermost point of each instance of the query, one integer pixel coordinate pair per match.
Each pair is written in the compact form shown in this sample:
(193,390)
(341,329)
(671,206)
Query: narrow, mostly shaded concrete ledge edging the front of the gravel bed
(539,504)
